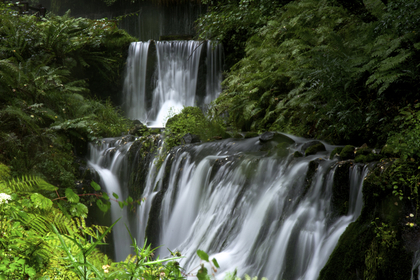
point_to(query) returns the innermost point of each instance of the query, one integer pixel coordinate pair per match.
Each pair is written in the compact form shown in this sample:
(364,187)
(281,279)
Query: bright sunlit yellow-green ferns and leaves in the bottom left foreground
(41,239)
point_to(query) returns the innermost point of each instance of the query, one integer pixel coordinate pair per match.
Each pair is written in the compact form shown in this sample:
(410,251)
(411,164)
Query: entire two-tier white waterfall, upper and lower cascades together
(247,202)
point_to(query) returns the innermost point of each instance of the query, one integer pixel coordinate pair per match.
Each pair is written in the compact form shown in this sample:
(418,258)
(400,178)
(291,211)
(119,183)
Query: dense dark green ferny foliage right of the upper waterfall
(315,69)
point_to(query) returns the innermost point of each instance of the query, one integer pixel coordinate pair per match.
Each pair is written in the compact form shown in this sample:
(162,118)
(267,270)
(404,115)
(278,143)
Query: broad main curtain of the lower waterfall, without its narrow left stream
(250,211)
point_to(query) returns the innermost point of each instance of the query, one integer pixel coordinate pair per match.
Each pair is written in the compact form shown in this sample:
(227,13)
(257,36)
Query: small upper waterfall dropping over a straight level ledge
(185,73)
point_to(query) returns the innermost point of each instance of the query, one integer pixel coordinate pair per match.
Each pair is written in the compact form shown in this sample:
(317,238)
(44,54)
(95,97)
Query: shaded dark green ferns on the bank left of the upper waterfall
(50,101)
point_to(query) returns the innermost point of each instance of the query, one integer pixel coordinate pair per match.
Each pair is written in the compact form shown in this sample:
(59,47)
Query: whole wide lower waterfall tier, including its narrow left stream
(249,203)
